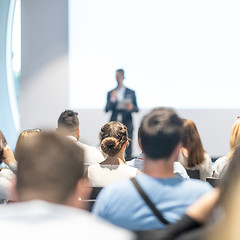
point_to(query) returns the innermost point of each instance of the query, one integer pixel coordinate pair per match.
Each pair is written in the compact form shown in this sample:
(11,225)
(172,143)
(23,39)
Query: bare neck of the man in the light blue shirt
(160,168)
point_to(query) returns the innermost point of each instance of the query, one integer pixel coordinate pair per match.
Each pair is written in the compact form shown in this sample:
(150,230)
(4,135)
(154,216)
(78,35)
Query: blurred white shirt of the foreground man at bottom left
(39,219)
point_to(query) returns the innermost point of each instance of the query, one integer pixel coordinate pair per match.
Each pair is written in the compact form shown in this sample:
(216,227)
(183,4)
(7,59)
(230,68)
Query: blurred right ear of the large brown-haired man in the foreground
(82,192)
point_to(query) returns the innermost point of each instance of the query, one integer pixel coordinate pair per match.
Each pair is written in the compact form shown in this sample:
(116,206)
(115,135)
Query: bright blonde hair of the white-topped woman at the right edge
(234,138)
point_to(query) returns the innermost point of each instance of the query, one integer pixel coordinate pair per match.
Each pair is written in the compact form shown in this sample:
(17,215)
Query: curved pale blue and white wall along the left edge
(9,118)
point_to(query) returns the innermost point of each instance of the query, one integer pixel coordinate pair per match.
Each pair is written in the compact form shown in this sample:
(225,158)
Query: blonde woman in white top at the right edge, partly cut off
(220,166)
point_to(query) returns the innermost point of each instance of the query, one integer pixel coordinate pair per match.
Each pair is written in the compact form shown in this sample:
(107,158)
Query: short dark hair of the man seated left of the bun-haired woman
(68,120)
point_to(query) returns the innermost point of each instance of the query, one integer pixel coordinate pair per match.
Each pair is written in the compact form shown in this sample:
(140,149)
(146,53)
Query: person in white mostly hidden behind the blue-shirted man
(138,163)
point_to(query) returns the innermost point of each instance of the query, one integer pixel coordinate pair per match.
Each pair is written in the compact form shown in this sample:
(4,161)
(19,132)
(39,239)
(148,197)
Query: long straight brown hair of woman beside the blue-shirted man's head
(192,142)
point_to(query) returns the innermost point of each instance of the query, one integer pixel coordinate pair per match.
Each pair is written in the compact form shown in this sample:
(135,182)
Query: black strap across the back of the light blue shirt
(156,212)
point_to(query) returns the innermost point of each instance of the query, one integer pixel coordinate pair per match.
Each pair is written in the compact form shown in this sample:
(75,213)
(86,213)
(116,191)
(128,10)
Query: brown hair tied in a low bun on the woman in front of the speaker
(113,136)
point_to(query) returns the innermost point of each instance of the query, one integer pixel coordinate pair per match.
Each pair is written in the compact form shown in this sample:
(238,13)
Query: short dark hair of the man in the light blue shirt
(160,132)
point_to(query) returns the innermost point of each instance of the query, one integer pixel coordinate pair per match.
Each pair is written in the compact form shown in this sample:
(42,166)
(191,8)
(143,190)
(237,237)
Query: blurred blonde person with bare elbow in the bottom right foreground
(227,225)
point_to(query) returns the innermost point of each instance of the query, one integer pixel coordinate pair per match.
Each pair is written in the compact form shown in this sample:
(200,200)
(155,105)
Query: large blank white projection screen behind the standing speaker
(183,54)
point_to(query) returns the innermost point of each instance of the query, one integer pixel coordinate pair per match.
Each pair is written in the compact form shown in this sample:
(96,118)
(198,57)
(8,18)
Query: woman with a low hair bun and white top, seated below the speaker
(114,141)
